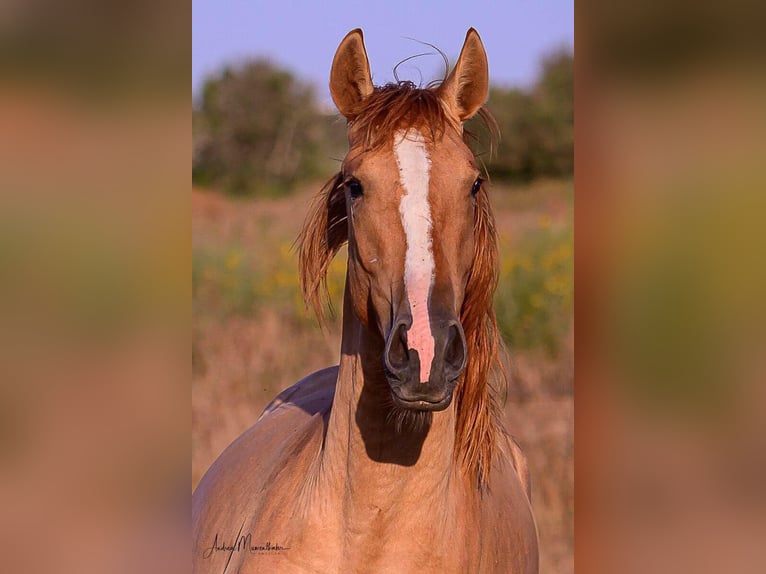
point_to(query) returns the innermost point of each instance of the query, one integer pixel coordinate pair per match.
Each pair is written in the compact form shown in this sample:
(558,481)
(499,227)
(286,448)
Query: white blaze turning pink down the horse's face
(414,170)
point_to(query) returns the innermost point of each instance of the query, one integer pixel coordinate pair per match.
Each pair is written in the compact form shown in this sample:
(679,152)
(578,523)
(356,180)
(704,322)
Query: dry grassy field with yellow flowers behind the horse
(252,336)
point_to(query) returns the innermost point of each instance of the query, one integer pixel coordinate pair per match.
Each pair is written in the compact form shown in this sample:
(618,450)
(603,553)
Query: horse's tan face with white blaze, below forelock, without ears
(411,212)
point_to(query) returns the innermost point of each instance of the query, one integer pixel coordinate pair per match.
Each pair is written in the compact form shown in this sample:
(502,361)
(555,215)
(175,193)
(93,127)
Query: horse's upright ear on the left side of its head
(350,79)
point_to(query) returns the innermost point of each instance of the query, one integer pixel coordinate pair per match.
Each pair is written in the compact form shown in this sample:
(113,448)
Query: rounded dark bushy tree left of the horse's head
(258,130)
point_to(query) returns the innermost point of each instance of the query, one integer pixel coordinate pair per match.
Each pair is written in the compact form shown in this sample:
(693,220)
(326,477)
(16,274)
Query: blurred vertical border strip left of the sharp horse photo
(94,288)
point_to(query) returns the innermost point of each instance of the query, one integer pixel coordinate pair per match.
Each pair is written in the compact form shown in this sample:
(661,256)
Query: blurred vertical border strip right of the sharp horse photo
(671,277)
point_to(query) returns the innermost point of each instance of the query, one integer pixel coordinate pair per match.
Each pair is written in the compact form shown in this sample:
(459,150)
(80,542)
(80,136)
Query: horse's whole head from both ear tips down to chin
(410,203)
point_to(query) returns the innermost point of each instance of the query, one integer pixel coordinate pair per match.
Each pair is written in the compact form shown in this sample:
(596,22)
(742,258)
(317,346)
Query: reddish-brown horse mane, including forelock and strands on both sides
(385,111)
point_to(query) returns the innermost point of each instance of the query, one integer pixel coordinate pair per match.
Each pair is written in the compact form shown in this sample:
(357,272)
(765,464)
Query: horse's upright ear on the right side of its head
(465,89)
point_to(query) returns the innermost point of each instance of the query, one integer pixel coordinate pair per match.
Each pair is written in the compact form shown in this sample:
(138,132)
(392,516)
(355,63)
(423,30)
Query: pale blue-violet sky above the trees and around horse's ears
(302,35)
